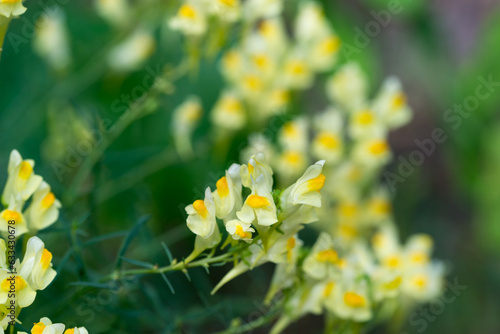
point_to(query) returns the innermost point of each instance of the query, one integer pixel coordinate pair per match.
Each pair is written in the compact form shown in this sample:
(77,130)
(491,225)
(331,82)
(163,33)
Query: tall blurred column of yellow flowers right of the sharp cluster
(357,265)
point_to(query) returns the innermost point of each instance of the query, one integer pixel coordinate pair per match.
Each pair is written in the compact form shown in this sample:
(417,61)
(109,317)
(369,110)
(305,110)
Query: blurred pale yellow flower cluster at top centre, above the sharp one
(267,66)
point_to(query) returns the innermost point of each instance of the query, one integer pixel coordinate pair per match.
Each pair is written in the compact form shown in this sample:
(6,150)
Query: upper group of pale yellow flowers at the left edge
(24,186)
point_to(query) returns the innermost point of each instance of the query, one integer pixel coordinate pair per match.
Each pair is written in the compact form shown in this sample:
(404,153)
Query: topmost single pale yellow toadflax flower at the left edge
(21,180)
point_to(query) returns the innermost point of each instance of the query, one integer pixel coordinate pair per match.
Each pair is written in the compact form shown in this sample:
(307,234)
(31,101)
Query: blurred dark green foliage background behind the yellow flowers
(438,48)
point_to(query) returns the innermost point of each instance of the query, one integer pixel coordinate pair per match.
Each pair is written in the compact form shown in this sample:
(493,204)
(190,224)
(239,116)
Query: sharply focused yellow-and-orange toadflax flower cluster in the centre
(266,221)
